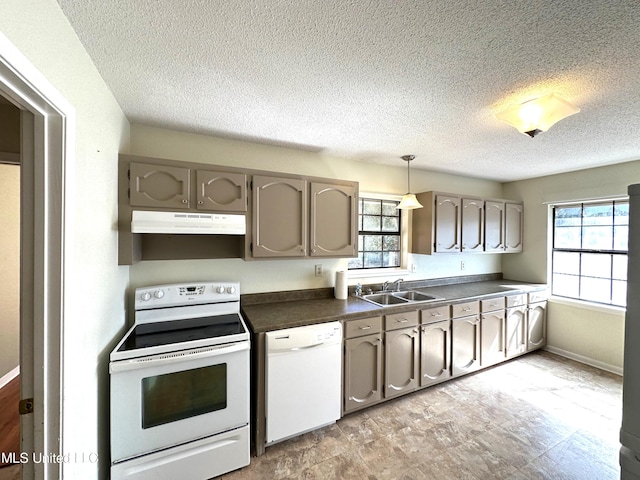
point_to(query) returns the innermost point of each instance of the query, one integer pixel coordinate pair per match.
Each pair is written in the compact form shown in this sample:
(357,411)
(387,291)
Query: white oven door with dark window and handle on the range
(164,400)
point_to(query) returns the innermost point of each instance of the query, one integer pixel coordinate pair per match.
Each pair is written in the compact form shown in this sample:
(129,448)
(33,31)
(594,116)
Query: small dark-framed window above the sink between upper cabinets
(379,234)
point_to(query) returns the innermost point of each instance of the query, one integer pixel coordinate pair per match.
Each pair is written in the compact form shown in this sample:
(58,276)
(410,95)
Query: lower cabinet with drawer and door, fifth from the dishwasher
(492,327)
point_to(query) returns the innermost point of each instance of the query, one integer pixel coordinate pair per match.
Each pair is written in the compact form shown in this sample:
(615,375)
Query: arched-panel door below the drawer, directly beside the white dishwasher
(362,371)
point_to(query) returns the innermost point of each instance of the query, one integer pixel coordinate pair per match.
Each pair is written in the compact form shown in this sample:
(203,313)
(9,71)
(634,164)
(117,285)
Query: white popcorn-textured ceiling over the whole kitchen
(373,80)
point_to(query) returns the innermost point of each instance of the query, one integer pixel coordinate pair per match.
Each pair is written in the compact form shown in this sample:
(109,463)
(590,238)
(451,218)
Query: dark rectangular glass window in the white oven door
(176,396)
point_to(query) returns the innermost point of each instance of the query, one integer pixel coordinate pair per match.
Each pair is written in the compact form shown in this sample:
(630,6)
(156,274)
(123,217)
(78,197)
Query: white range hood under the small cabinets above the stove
(143,221)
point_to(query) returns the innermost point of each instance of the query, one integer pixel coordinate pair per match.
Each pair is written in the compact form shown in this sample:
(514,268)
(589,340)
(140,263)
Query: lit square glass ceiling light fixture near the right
(537,115)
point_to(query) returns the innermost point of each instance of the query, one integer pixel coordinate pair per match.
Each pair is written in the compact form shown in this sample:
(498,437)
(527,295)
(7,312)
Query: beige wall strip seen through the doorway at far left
(9,267)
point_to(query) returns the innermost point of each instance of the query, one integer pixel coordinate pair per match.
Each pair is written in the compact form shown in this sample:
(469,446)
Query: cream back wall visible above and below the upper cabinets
(264,276)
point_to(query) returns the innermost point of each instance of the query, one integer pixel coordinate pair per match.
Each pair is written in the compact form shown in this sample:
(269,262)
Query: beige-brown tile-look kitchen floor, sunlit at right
(540,416)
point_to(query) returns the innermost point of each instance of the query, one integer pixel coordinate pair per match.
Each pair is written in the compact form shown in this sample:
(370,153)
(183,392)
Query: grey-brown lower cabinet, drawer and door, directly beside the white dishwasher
(363,368)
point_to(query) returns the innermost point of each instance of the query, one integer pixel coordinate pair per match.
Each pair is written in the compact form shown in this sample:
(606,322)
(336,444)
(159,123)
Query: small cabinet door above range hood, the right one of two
(221,191)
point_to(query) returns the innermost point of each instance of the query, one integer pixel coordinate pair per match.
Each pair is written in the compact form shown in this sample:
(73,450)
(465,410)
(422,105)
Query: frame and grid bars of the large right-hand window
(610,252)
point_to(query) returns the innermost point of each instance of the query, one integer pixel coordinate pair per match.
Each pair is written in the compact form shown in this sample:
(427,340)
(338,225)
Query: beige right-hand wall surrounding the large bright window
(594,335)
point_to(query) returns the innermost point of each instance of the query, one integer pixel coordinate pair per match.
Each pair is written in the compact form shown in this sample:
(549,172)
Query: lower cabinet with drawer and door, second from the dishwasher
(401,351)
